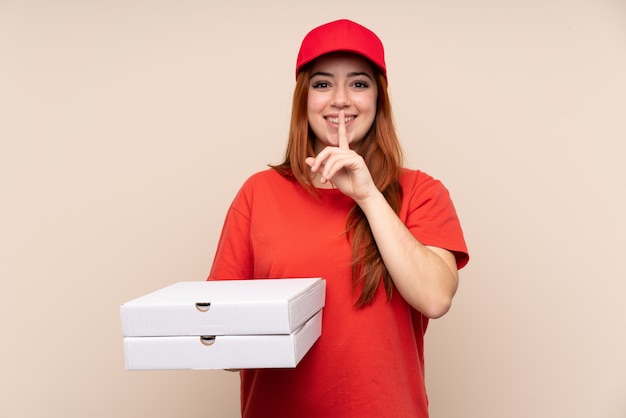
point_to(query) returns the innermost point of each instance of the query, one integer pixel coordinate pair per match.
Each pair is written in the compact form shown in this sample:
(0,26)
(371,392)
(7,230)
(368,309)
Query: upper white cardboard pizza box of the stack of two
(225,307)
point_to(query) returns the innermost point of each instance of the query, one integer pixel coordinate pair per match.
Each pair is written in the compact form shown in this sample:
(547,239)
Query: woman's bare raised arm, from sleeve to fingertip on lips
(425,276)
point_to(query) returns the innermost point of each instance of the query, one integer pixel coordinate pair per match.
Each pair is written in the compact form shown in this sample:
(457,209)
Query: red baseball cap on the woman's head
(341,35)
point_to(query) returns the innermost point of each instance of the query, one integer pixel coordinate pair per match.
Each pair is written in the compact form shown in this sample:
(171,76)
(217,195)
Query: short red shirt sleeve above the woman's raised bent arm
(431,217)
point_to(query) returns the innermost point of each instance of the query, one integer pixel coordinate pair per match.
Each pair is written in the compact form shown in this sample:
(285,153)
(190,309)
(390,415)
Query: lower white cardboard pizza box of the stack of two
(222,351)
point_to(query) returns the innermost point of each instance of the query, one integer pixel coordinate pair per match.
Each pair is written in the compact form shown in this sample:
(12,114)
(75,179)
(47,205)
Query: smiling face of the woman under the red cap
(341,82)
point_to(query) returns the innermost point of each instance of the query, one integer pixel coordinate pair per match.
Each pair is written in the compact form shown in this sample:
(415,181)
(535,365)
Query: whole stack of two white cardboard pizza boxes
(226,324)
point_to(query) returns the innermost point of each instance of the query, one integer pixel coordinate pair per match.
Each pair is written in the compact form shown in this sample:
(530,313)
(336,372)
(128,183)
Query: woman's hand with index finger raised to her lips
(343,167)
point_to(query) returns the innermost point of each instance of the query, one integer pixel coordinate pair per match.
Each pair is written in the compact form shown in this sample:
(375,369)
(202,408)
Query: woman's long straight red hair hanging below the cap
(383,156)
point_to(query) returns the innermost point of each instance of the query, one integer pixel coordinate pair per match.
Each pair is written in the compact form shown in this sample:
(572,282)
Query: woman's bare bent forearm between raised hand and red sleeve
(426,277)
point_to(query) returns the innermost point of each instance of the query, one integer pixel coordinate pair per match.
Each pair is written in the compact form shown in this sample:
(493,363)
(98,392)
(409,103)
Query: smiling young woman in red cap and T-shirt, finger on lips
(341,206)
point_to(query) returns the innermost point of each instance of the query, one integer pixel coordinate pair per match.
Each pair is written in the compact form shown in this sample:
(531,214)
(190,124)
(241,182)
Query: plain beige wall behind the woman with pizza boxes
(126,128)
